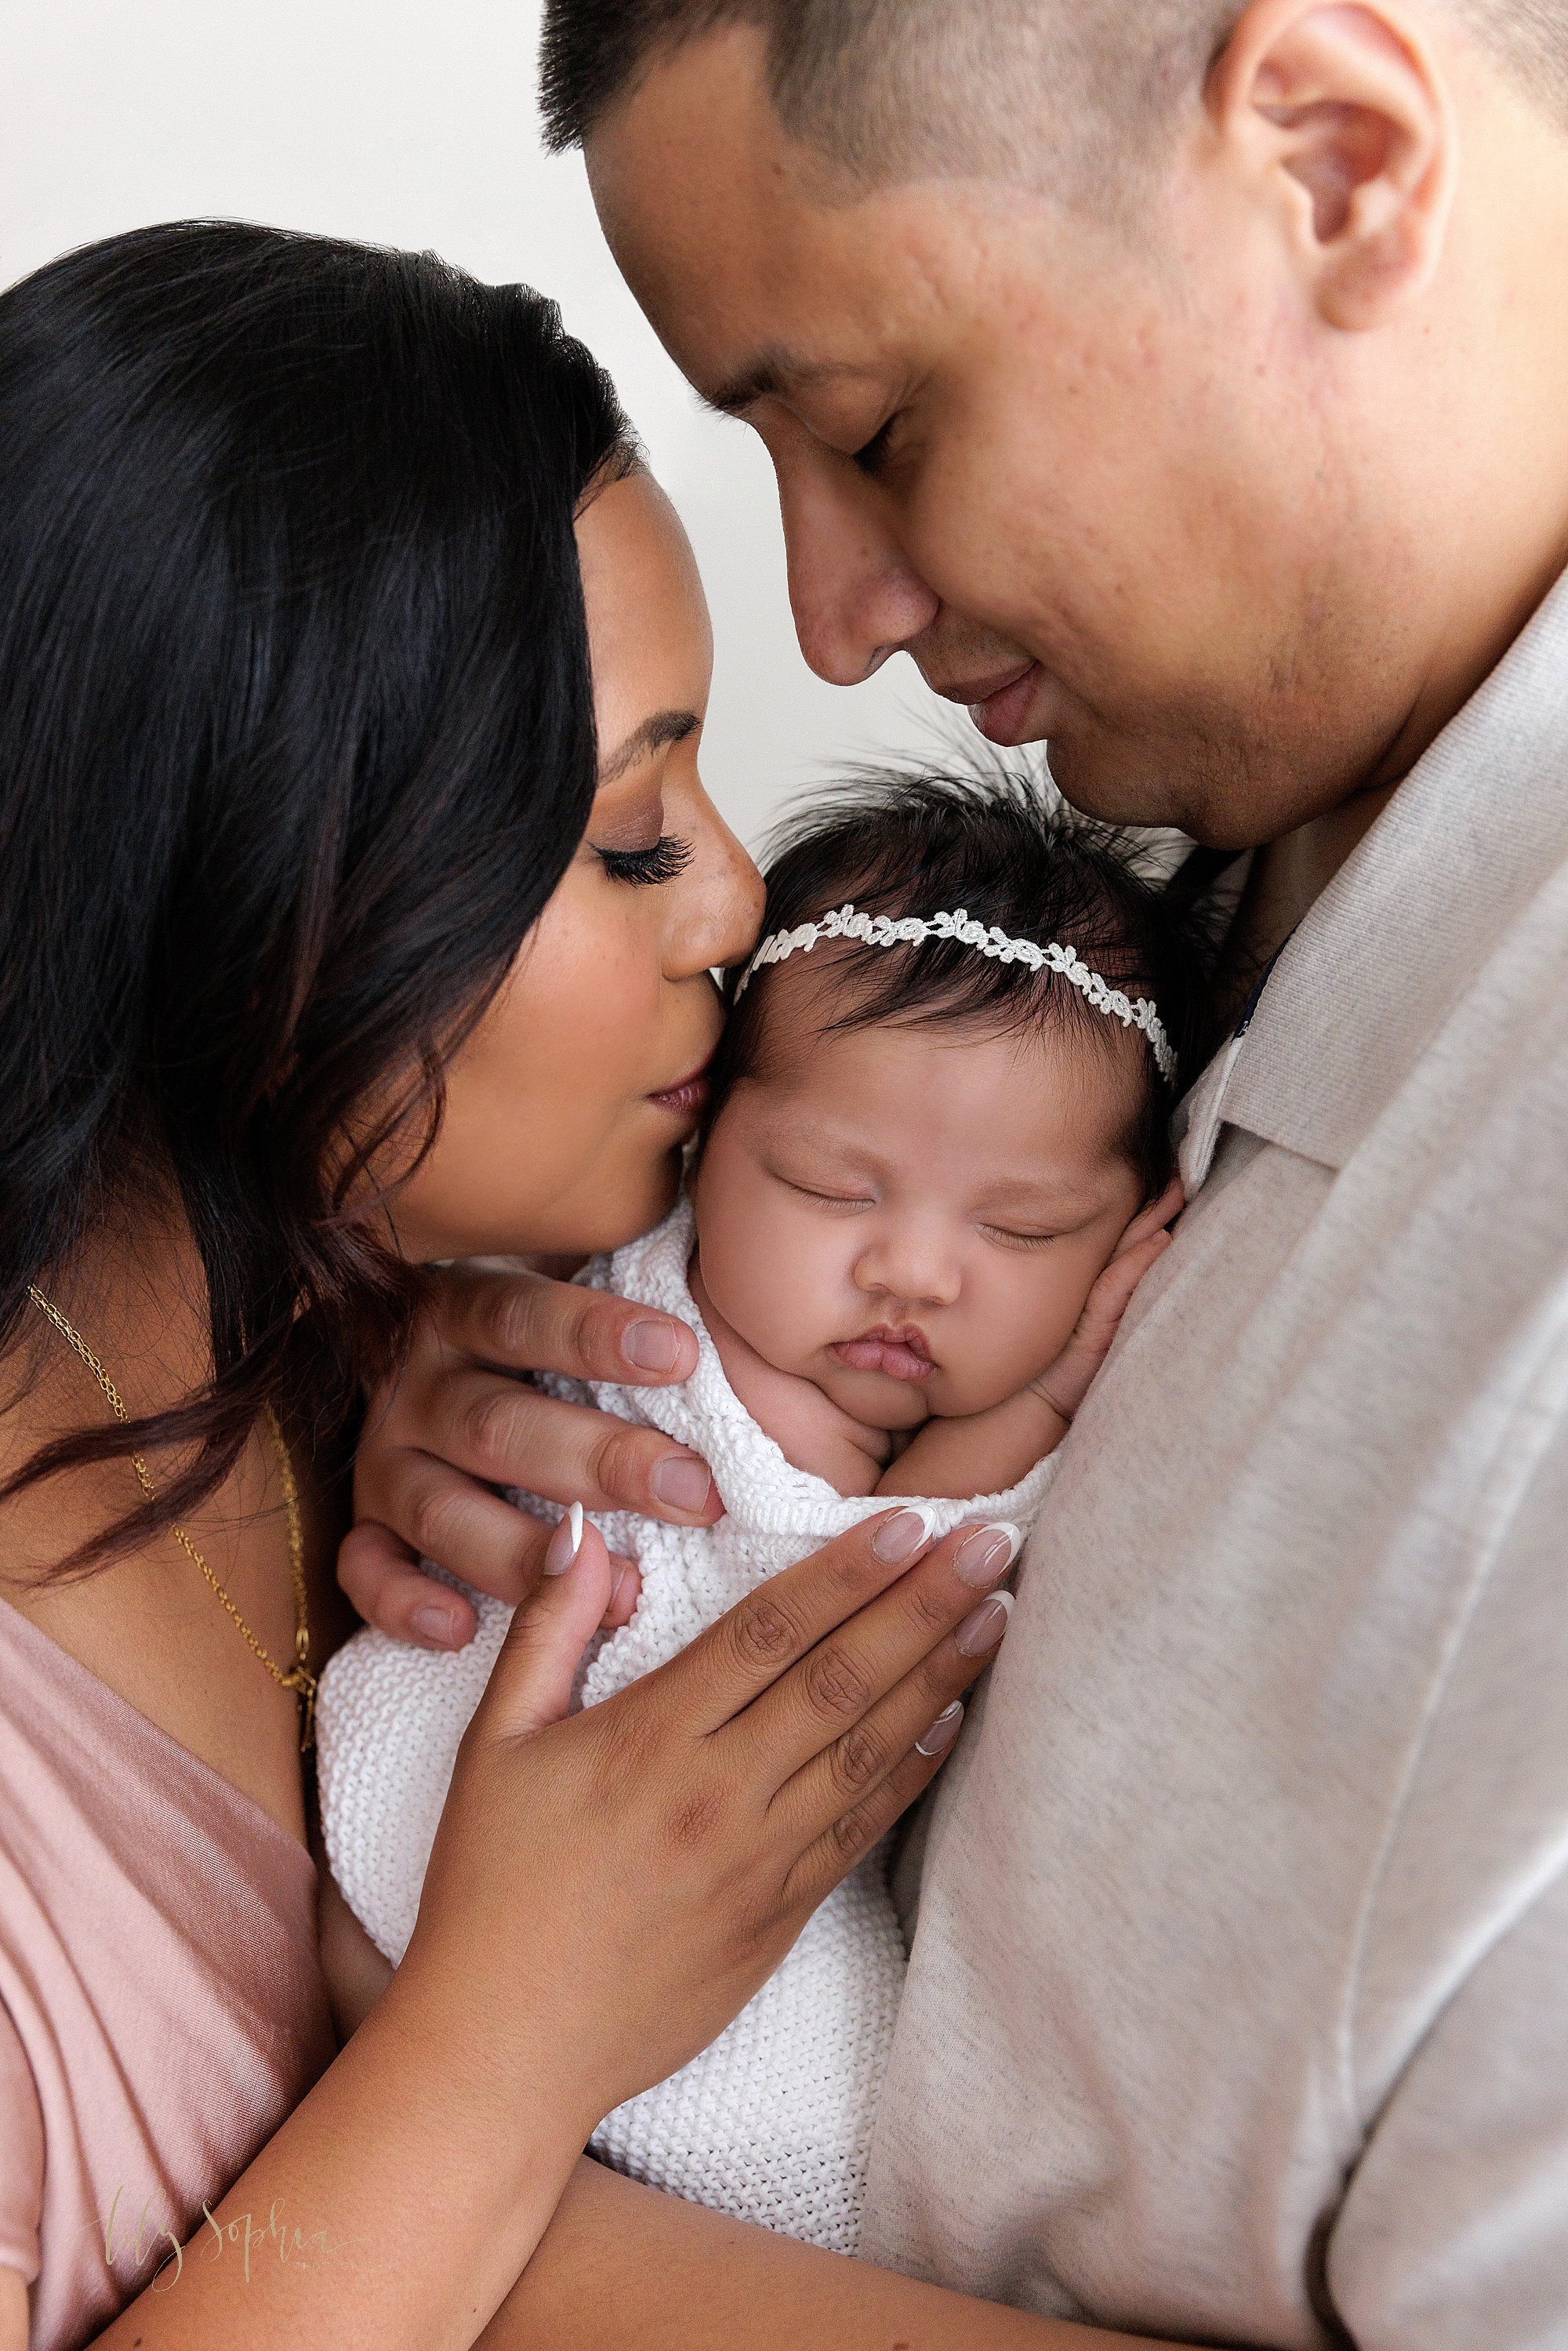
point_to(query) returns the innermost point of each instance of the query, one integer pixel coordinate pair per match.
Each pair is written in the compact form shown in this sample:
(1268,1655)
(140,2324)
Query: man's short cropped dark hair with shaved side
(953,88)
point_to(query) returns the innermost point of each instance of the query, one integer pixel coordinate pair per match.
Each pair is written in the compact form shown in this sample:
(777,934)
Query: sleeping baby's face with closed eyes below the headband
(913,1219)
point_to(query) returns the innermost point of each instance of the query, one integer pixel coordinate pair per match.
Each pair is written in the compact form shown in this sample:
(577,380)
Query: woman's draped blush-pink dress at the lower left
(161,1990)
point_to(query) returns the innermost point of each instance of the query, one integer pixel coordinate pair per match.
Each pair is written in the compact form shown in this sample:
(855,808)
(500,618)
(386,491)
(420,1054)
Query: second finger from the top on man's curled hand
(511,1435)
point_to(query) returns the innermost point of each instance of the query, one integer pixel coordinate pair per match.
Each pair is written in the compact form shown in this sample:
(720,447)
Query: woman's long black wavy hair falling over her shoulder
(295,744)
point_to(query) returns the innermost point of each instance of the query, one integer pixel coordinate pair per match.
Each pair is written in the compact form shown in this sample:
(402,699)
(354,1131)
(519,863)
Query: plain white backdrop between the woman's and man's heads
(413,123)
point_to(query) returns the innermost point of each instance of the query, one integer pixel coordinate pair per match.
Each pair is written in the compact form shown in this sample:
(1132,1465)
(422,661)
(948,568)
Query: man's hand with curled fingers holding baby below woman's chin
(462,1424)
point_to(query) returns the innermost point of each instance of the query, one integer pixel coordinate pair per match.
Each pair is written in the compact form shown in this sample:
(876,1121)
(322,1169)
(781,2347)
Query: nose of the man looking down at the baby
(852,589)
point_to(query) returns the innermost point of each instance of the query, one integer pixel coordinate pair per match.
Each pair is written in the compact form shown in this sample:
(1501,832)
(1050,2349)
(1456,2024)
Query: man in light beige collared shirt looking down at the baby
(1184,384)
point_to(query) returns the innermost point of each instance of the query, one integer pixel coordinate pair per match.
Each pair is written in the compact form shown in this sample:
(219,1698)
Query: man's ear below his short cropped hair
(1341,114)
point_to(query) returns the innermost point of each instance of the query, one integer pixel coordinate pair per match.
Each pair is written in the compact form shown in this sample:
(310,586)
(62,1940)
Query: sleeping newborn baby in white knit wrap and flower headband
(937,1156)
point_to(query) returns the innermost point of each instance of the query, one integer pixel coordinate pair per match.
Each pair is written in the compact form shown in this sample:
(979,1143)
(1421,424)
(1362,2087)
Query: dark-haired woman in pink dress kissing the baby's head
(333,949)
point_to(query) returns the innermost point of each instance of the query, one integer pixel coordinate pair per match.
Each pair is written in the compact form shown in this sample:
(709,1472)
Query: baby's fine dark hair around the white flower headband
(1012,855)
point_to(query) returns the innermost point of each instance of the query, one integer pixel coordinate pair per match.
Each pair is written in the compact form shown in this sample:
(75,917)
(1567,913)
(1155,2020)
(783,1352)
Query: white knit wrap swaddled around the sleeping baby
(775,2119)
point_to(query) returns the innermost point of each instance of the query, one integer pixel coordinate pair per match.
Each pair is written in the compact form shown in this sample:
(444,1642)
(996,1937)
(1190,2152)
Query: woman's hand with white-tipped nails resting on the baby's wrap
(622,1882)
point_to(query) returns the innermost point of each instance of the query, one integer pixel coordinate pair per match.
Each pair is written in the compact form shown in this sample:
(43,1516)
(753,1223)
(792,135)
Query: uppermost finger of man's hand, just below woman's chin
(530,1322)
